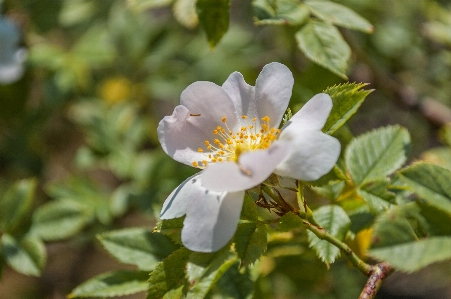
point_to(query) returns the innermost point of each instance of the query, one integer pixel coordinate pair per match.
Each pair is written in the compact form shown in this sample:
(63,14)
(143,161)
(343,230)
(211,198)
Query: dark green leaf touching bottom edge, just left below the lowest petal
(168,274)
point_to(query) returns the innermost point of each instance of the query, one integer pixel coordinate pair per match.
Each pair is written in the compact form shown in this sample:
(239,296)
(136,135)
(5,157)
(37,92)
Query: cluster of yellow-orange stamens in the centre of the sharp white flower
(228,146)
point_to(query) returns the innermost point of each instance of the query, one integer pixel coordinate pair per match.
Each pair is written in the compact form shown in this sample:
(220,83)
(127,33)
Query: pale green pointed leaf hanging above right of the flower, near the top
(323,44)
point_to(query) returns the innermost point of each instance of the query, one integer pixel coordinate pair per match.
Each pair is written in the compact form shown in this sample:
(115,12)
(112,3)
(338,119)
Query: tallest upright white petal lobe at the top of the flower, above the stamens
(273,91)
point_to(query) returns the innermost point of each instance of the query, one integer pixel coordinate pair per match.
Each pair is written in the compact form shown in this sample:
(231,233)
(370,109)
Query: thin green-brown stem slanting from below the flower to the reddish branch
(321,233)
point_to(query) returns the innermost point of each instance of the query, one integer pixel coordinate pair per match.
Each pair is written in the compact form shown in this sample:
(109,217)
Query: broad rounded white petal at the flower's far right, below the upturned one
(314,154)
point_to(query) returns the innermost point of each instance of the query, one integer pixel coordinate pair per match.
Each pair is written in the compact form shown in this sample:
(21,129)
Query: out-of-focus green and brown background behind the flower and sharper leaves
(100,75)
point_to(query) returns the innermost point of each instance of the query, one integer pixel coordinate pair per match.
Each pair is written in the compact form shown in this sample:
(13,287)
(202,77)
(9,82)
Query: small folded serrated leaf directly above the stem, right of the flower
(336,222)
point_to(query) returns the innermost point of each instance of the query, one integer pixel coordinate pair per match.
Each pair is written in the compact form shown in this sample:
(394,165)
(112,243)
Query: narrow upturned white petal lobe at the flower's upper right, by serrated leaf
(313,115)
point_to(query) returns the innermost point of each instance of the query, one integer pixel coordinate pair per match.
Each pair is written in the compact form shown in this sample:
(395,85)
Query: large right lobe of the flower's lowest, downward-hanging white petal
(211,220)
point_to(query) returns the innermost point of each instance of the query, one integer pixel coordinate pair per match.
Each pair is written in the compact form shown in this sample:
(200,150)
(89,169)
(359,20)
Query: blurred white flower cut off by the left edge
(11,57)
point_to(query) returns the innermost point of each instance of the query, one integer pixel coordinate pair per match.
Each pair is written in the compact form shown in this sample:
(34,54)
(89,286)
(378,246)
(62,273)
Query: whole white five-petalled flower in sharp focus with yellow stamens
(231,132)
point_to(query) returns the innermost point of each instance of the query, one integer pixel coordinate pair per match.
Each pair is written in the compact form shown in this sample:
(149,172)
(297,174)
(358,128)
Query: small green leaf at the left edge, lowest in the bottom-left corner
(26,255)
